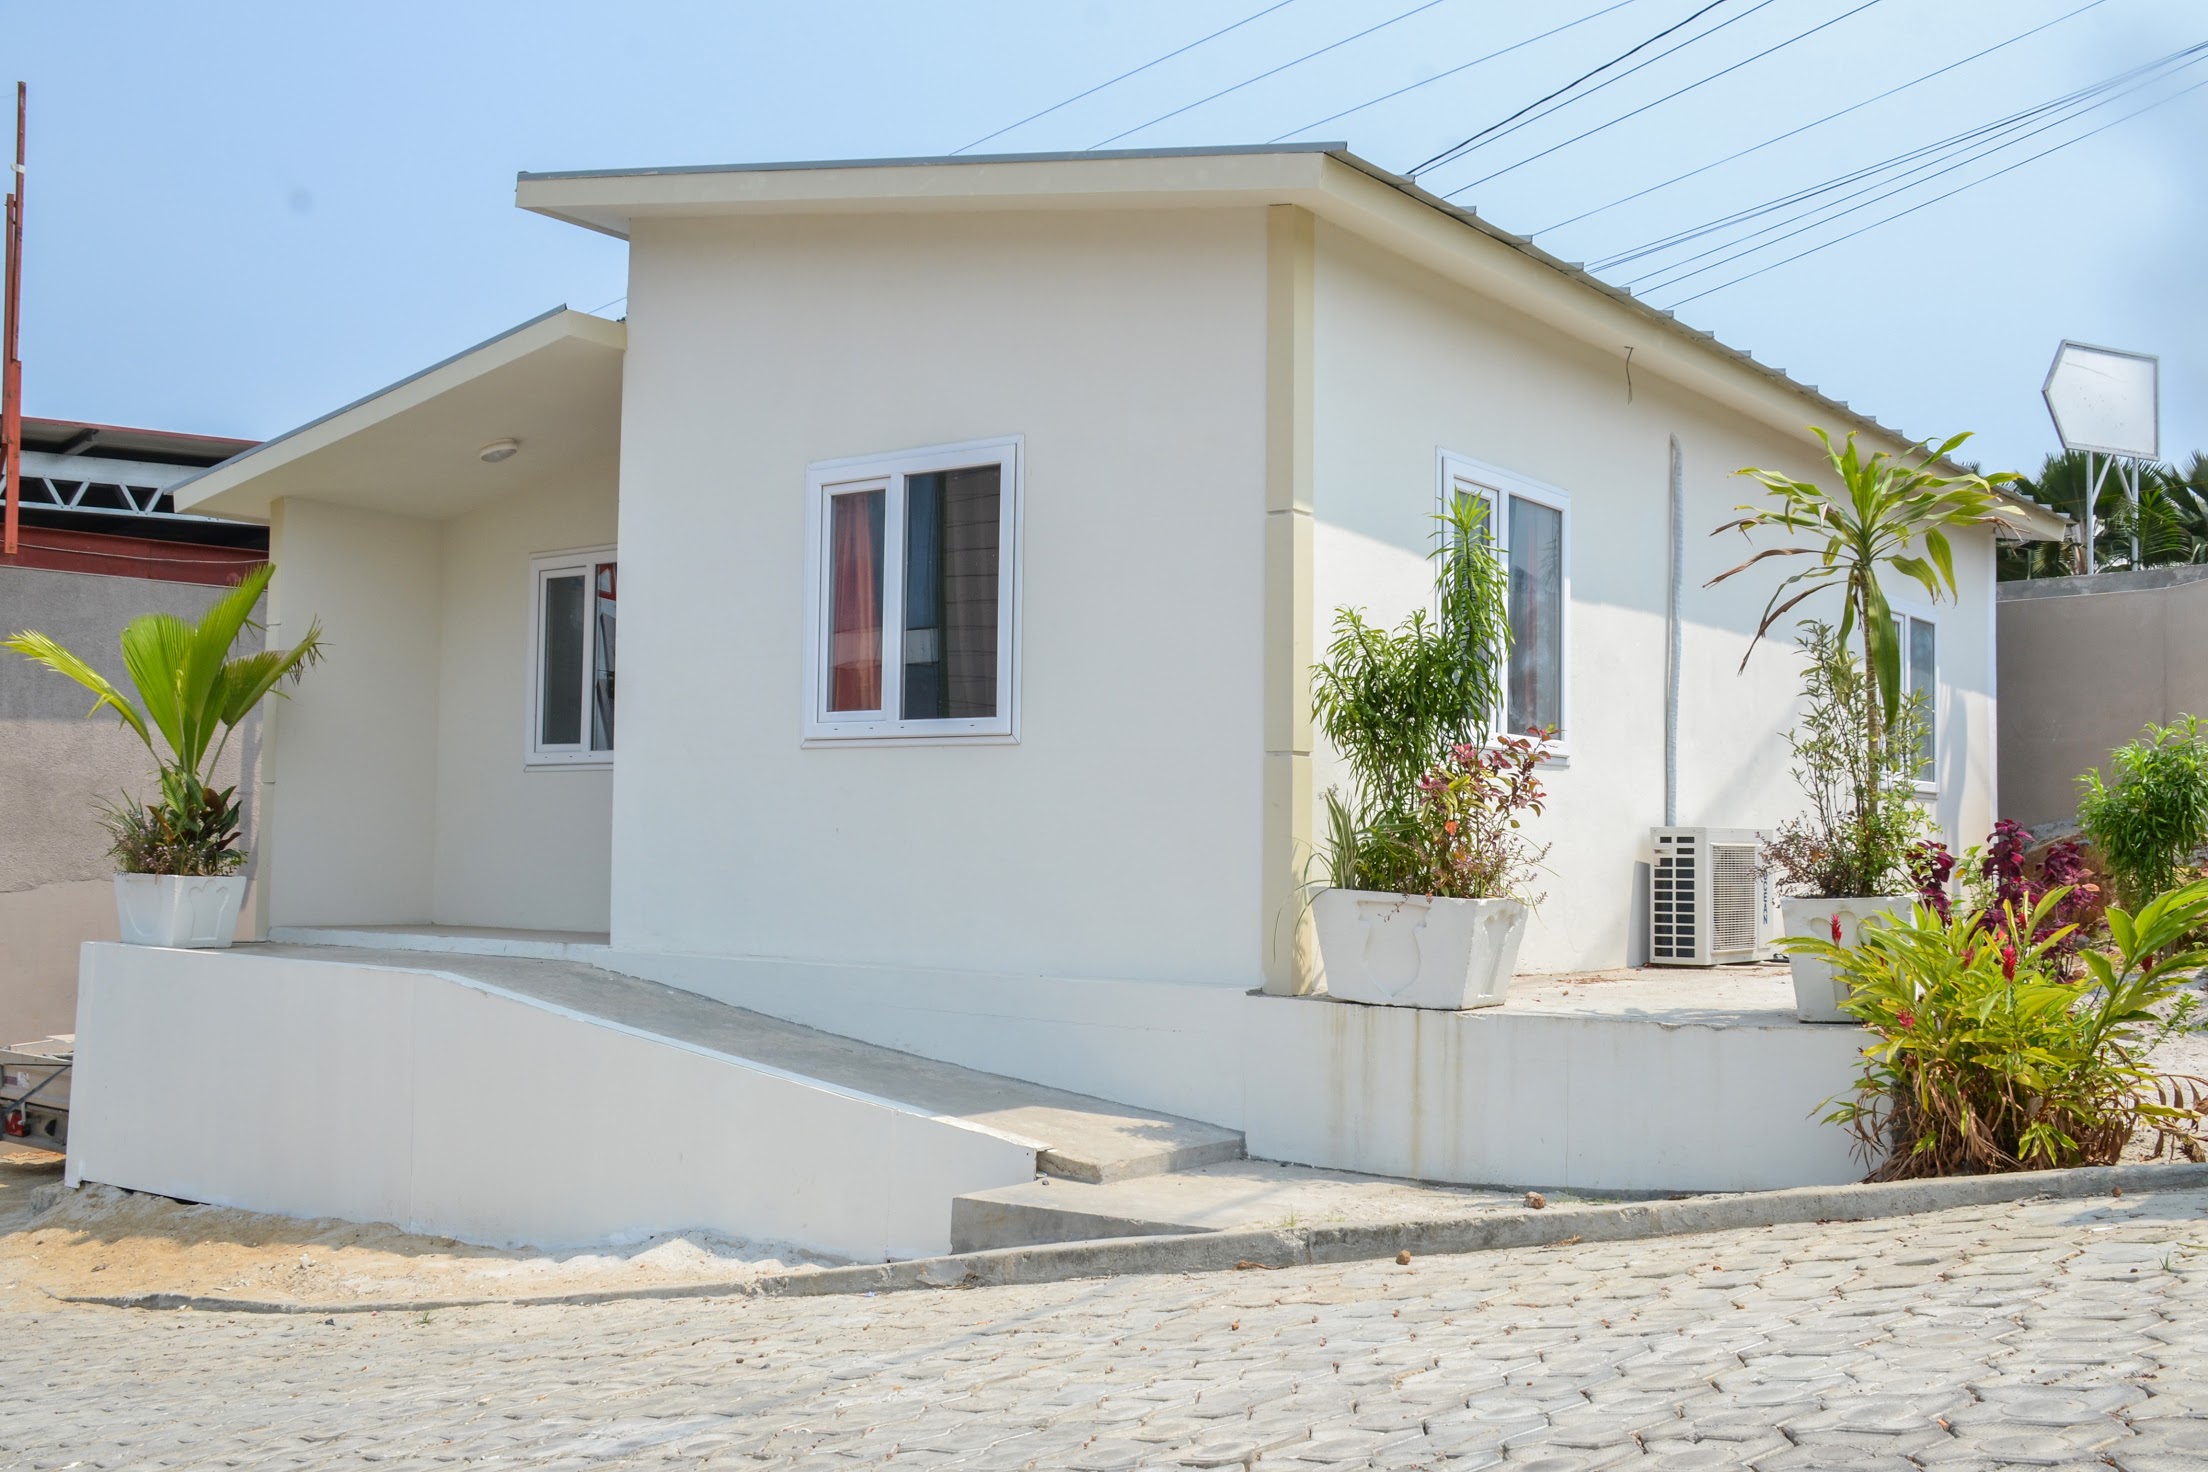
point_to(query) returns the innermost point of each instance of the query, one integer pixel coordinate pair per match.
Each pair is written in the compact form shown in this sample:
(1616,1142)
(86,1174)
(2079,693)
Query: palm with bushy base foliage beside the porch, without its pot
(191,694)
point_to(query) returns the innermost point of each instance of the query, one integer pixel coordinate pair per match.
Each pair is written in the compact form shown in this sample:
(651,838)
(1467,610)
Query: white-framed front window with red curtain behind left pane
(911,595)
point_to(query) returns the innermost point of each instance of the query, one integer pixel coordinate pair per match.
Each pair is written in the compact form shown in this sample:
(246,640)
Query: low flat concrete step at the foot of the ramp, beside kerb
(1229,1197)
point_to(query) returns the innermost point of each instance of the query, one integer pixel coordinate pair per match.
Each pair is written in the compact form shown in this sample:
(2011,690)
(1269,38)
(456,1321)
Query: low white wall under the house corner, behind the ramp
(1492,1098)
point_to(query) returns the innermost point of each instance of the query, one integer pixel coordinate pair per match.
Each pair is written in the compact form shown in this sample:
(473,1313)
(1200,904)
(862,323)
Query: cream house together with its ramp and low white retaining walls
(959,537)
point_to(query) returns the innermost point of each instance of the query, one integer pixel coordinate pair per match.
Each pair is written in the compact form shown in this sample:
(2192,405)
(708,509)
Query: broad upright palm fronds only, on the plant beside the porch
(191,690)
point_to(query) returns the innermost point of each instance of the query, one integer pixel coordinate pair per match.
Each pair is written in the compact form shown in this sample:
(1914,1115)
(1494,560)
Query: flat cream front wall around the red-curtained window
(1121,838)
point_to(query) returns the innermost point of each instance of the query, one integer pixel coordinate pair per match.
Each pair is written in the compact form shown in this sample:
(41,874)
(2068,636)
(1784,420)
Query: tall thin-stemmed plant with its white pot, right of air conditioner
(1849,860)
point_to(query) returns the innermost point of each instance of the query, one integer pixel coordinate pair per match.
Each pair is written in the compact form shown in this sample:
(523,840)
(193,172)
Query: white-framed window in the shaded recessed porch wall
(573,601)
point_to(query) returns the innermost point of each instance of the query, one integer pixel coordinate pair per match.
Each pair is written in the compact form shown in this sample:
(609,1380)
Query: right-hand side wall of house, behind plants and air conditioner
(1410,365)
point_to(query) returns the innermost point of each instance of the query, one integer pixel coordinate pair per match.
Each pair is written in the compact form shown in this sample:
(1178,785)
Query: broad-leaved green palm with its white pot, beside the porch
(178,857)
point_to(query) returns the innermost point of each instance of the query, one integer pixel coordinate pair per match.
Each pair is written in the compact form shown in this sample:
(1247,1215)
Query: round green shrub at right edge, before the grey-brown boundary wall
(2156,815)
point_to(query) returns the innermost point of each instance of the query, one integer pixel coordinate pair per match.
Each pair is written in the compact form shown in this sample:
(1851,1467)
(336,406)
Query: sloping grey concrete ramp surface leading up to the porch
(1074,1138)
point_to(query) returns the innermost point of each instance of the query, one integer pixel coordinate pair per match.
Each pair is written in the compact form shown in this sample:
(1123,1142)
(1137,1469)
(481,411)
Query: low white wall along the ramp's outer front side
(449,1107)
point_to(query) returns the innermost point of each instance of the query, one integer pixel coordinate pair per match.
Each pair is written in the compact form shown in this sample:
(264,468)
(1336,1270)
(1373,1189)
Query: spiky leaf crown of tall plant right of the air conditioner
(1885,513)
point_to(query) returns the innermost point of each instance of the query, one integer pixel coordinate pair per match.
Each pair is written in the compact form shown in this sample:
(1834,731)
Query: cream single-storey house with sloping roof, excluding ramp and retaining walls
(1187,403)
